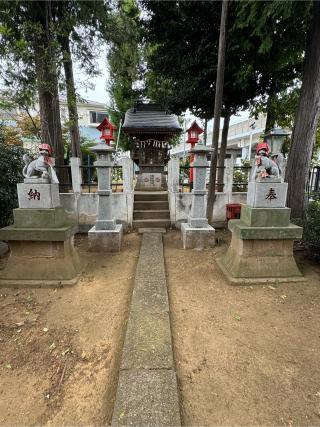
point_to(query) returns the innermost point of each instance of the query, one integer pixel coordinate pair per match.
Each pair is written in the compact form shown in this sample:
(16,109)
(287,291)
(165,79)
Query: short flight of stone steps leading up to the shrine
(151,210)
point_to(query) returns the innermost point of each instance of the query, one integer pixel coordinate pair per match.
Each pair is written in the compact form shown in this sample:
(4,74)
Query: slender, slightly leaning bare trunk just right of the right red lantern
(217,109)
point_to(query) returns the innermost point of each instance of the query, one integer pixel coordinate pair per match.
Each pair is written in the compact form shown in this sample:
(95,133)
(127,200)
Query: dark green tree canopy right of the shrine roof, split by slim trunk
(265,44)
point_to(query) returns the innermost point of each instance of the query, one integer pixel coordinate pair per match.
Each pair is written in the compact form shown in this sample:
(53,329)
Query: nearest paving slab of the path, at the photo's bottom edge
(147,398)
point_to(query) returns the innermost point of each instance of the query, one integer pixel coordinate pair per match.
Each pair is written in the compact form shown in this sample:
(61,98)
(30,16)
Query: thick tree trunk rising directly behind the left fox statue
(47,82)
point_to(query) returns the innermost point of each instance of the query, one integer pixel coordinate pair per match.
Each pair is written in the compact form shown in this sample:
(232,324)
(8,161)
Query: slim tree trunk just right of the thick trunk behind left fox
(71,98)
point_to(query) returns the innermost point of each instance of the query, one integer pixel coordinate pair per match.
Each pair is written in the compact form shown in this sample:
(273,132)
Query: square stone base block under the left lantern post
(105,240)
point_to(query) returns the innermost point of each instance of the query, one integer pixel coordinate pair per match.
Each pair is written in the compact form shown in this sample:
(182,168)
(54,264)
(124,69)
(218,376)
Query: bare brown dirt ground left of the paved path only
(60,348)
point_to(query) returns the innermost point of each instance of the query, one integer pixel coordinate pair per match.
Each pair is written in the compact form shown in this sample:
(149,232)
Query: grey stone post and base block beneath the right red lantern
(197,233)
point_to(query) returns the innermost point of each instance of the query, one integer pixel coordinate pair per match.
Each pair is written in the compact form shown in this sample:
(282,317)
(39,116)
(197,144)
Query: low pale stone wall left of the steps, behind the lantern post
(82,208)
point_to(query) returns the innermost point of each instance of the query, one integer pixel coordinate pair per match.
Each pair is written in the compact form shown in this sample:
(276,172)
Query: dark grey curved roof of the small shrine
(150,118)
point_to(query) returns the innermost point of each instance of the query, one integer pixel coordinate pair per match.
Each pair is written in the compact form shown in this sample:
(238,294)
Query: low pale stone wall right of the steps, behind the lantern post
(180,205)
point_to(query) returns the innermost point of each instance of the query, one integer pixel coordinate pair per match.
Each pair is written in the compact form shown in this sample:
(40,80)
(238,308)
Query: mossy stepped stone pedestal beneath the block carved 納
(41,249)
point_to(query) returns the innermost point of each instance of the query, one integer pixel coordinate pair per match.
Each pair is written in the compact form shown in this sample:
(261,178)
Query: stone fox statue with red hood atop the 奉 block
(264,166)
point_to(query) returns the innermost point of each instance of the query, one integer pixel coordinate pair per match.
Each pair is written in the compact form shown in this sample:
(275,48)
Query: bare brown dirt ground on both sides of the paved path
(244,355)
